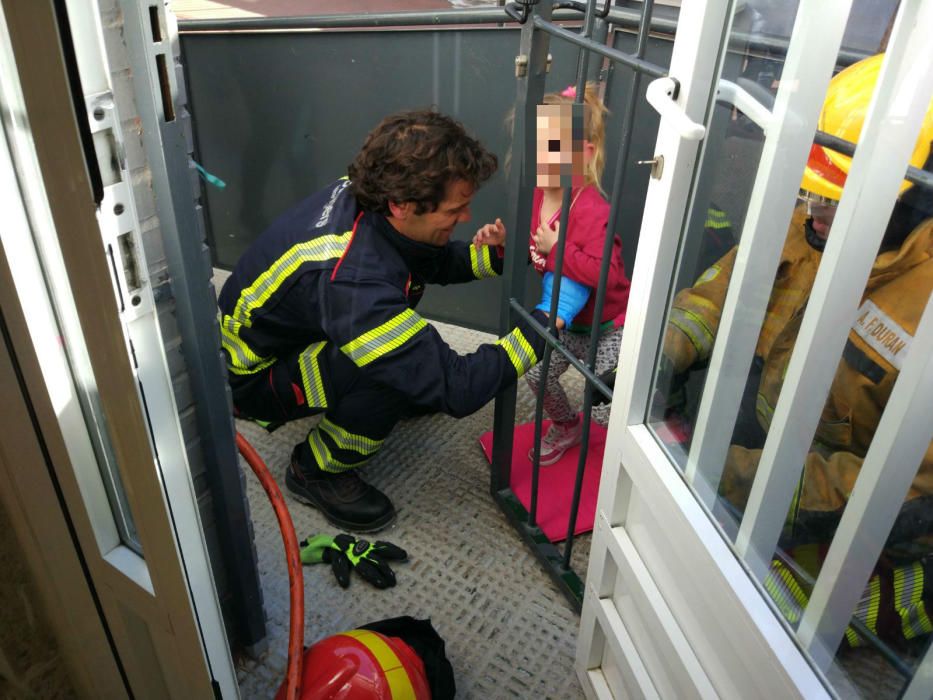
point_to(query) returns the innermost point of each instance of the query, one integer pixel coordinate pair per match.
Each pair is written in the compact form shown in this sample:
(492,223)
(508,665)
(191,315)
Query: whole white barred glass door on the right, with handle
(763,509)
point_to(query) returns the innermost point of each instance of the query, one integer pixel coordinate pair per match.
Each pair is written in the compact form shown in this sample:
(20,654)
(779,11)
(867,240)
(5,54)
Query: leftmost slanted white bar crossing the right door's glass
(817,35)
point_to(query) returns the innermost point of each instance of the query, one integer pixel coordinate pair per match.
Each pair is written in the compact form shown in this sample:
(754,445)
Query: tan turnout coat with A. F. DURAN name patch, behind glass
(894,299)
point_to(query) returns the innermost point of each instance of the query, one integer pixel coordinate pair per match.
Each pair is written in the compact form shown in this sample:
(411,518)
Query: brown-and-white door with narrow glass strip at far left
(119,461)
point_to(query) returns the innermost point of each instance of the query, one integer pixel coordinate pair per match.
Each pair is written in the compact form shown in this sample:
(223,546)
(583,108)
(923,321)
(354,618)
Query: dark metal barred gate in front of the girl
(536,32)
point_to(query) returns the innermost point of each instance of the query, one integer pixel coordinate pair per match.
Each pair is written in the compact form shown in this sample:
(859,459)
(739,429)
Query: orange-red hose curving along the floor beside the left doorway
(293,557)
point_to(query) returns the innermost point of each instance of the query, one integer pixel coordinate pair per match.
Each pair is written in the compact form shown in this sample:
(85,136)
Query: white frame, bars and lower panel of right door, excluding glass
(670,608)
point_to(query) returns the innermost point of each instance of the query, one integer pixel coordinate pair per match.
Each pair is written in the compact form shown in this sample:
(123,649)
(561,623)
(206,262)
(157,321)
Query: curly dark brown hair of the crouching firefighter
(411,157)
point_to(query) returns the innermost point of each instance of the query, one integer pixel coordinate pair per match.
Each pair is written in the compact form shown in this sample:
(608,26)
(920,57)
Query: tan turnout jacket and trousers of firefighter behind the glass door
(898,288)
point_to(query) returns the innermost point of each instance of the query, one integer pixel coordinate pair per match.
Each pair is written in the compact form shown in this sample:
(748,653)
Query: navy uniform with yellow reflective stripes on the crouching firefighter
(319,316)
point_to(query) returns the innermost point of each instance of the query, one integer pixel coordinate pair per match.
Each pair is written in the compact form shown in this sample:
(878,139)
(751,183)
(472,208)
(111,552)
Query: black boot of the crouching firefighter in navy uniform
(344,498)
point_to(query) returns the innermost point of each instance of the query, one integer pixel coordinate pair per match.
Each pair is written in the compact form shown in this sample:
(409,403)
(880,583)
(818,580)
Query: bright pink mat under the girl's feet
(555,483)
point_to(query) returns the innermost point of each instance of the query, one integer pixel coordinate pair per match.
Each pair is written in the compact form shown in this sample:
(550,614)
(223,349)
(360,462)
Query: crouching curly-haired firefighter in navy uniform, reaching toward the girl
(319,314)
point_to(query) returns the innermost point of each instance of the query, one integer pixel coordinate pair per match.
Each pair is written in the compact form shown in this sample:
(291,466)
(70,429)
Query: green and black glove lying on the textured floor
(345,552)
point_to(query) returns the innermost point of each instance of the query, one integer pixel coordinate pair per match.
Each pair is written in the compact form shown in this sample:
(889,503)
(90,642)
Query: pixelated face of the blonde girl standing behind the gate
(561,151)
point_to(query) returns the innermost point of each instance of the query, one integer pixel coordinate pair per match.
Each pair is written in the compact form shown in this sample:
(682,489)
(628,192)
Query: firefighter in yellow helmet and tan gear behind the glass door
(898,289)
